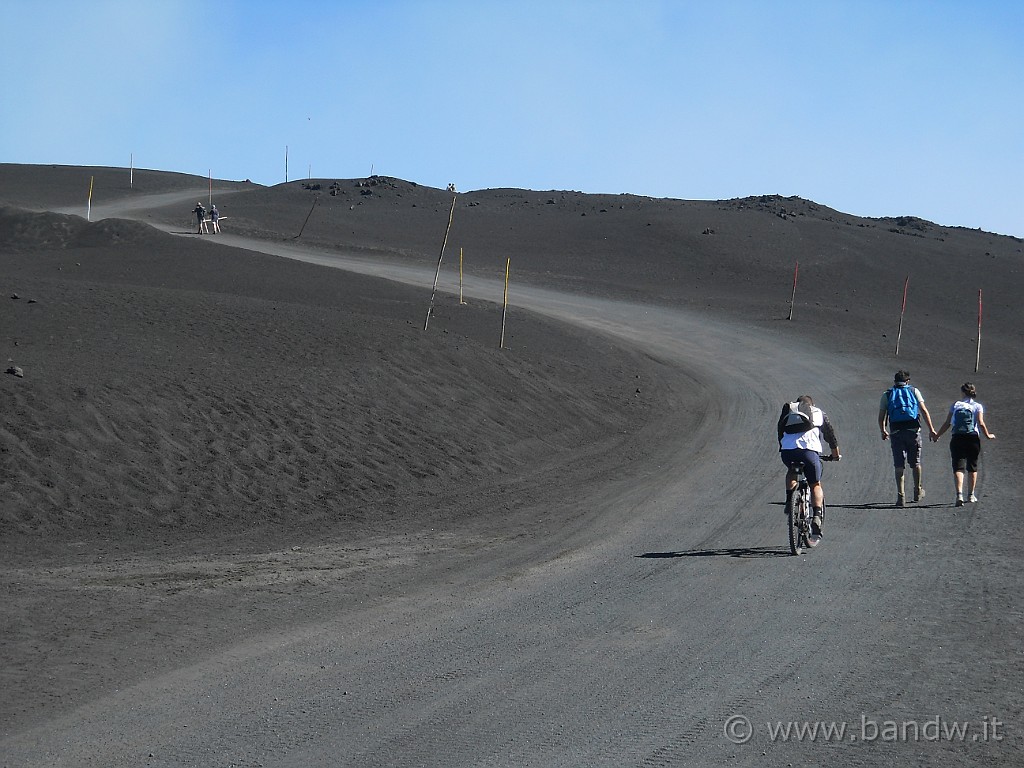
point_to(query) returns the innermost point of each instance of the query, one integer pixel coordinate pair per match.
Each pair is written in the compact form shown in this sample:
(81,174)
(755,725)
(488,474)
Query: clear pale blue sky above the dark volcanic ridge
(873,108)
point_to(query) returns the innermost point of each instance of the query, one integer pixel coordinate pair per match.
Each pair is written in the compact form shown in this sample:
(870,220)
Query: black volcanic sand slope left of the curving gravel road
(183,399)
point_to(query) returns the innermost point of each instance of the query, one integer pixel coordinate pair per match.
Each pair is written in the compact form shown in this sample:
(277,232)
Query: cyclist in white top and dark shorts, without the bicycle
(802,432)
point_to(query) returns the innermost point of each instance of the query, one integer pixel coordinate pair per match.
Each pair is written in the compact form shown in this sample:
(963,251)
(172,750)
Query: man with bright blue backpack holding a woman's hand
(900,420)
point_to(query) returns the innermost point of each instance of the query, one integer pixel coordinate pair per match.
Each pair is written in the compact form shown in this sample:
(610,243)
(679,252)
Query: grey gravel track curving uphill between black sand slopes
(633,648)
